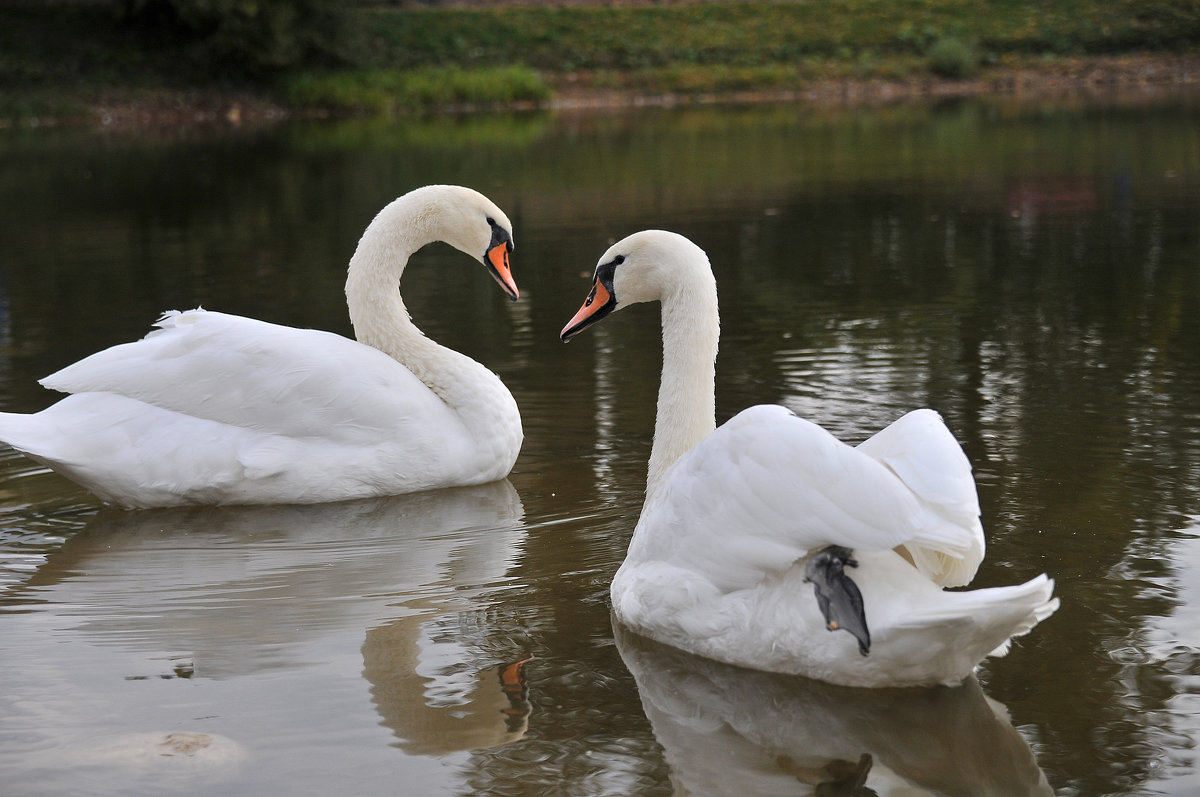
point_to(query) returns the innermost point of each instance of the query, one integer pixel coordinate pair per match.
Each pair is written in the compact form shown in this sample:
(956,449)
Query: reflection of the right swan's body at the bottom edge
(733,732)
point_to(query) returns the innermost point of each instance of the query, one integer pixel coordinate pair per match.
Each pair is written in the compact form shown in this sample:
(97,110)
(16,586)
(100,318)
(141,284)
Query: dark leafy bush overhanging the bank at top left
(253,35)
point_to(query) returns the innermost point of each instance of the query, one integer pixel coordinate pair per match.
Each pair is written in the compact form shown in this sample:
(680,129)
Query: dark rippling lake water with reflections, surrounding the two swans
(1031,271)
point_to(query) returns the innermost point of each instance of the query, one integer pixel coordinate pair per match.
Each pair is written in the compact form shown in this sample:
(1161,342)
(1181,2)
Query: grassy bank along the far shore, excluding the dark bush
(69,59)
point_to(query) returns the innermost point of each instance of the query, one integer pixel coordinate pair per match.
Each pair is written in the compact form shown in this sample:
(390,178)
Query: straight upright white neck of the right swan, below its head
(687,410)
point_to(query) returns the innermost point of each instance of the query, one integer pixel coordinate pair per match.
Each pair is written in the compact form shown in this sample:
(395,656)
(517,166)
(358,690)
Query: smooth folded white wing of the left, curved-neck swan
(263,377)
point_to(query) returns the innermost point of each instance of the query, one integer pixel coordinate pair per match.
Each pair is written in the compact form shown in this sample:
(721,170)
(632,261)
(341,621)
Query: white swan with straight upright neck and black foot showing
(739,522)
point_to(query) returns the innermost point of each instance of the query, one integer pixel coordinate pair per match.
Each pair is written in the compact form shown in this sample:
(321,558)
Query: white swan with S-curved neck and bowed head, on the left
(213,409)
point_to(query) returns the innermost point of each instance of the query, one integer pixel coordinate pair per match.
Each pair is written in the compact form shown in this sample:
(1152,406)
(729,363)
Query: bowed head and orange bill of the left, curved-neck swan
(473,225)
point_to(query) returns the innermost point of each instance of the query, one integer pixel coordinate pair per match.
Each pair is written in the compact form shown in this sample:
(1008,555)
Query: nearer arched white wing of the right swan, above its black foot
(769,488)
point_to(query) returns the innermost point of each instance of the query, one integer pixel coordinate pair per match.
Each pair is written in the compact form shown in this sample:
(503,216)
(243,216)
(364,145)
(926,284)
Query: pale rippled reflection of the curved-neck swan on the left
(221,595)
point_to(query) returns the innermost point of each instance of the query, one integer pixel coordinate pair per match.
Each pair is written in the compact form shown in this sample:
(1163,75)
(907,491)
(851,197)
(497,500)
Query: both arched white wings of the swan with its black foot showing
(767,488)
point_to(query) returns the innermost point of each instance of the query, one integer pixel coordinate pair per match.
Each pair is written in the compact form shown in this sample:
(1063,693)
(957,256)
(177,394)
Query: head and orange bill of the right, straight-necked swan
(651,266)
